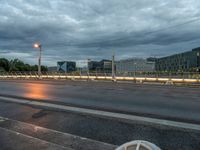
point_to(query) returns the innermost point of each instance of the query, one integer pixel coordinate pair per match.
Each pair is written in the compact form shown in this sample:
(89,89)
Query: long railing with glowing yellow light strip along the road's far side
(136,77)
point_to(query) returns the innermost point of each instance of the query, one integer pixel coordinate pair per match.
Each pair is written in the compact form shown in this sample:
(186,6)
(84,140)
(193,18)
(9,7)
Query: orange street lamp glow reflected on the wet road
(36,91)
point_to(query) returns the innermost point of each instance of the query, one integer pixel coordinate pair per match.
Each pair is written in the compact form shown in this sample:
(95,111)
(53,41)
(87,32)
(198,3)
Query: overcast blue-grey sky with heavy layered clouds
(82,29)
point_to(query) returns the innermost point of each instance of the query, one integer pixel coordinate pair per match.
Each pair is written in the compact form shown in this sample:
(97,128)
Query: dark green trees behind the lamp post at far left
(17,65)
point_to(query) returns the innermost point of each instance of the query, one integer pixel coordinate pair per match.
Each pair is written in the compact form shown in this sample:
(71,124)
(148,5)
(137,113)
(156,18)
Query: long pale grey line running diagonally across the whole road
(105,114)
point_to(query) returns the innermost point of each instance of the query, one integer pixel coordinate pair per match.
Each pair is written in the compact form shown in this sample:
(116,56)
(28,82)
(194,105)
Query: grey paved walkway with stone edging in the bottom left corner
(16,135)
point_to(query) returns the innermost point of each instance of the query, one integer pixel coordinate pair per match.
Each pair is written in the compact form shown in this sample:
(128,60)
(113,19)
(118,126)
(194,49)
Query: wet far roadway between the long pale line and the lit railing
(177,103)
